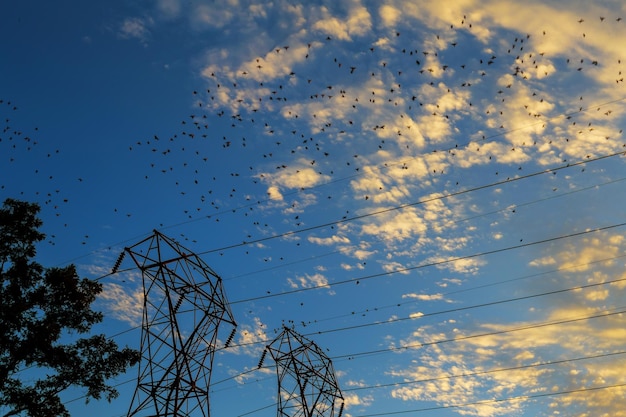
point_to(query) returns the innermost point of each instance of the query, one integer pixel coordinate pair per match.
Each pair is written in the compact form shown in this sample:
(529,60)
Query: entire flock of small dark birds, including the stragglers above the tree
(338,112)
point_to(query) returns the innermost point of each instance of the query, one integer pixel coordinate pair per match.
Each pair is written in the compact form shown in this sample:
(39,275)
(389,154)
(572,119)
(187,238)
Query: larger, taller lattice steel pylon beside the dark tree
(184,305)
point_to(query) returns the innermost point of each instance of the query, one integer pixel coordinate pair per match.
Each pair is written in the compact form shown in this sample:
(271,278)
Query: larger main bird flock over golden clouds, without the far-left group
(267,123)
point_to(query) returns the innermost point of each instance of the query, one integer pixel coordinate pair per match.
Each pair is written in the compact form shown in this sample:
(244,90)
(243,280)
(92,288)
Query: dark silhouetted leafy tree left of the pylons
(40,309)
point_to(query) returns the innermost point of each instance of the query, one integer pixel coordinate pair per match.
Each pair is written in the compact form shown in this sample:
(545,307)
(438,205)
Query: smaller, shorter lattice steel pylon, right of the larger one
(307,386)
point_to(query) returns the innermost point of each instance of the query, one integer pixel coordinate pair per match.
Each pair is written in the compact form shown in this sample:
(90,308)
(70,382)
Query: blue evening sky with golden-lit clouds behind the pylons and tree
(430,192)
